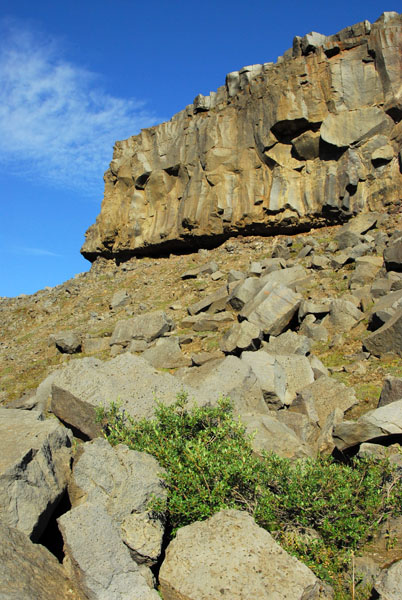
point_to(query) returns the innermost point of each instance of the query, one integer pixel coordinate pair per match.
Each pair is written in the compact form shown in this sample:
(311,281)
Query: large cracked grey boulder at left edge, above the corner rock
(34,469)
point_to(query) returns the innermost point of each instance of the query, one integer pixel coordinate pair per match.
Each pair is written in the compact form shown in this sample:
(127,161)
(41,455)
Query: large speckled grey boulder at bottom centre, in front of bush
(237,558)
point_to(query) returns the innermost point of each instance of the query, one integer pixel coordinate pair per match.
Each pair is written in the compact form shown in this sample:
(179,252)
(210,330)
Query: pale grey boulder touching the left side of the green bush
(122,482)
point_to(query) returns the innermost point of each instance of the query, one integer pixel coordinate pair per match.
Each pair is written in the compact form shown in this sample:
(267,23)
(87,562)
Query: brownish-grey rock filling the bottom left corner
(30,572)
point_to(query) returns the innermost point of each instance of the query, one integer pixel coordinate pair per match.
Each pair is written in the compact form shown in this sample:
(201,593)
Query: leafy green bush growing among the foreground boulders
(317,509)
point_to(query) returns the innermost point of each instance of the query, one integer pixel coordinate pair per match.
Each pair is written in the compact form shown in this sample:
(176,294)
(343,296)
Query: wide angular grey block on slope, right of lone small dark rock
(146,327)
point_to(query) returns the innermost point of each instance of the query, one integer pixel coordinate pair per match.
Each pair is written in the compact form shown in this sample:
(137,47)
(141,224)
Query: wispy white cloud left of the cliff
(56,122)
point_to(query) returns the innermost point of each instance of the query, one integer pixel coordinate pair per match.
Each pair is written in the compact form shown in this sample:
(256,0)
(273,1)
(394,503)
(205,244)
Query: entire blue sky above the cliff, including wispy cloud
(76,76)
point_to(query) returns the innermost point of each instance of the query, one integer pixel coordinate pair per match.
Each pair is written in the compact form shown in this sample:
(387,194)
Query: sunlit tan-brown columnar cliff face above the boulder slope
(309,140)
